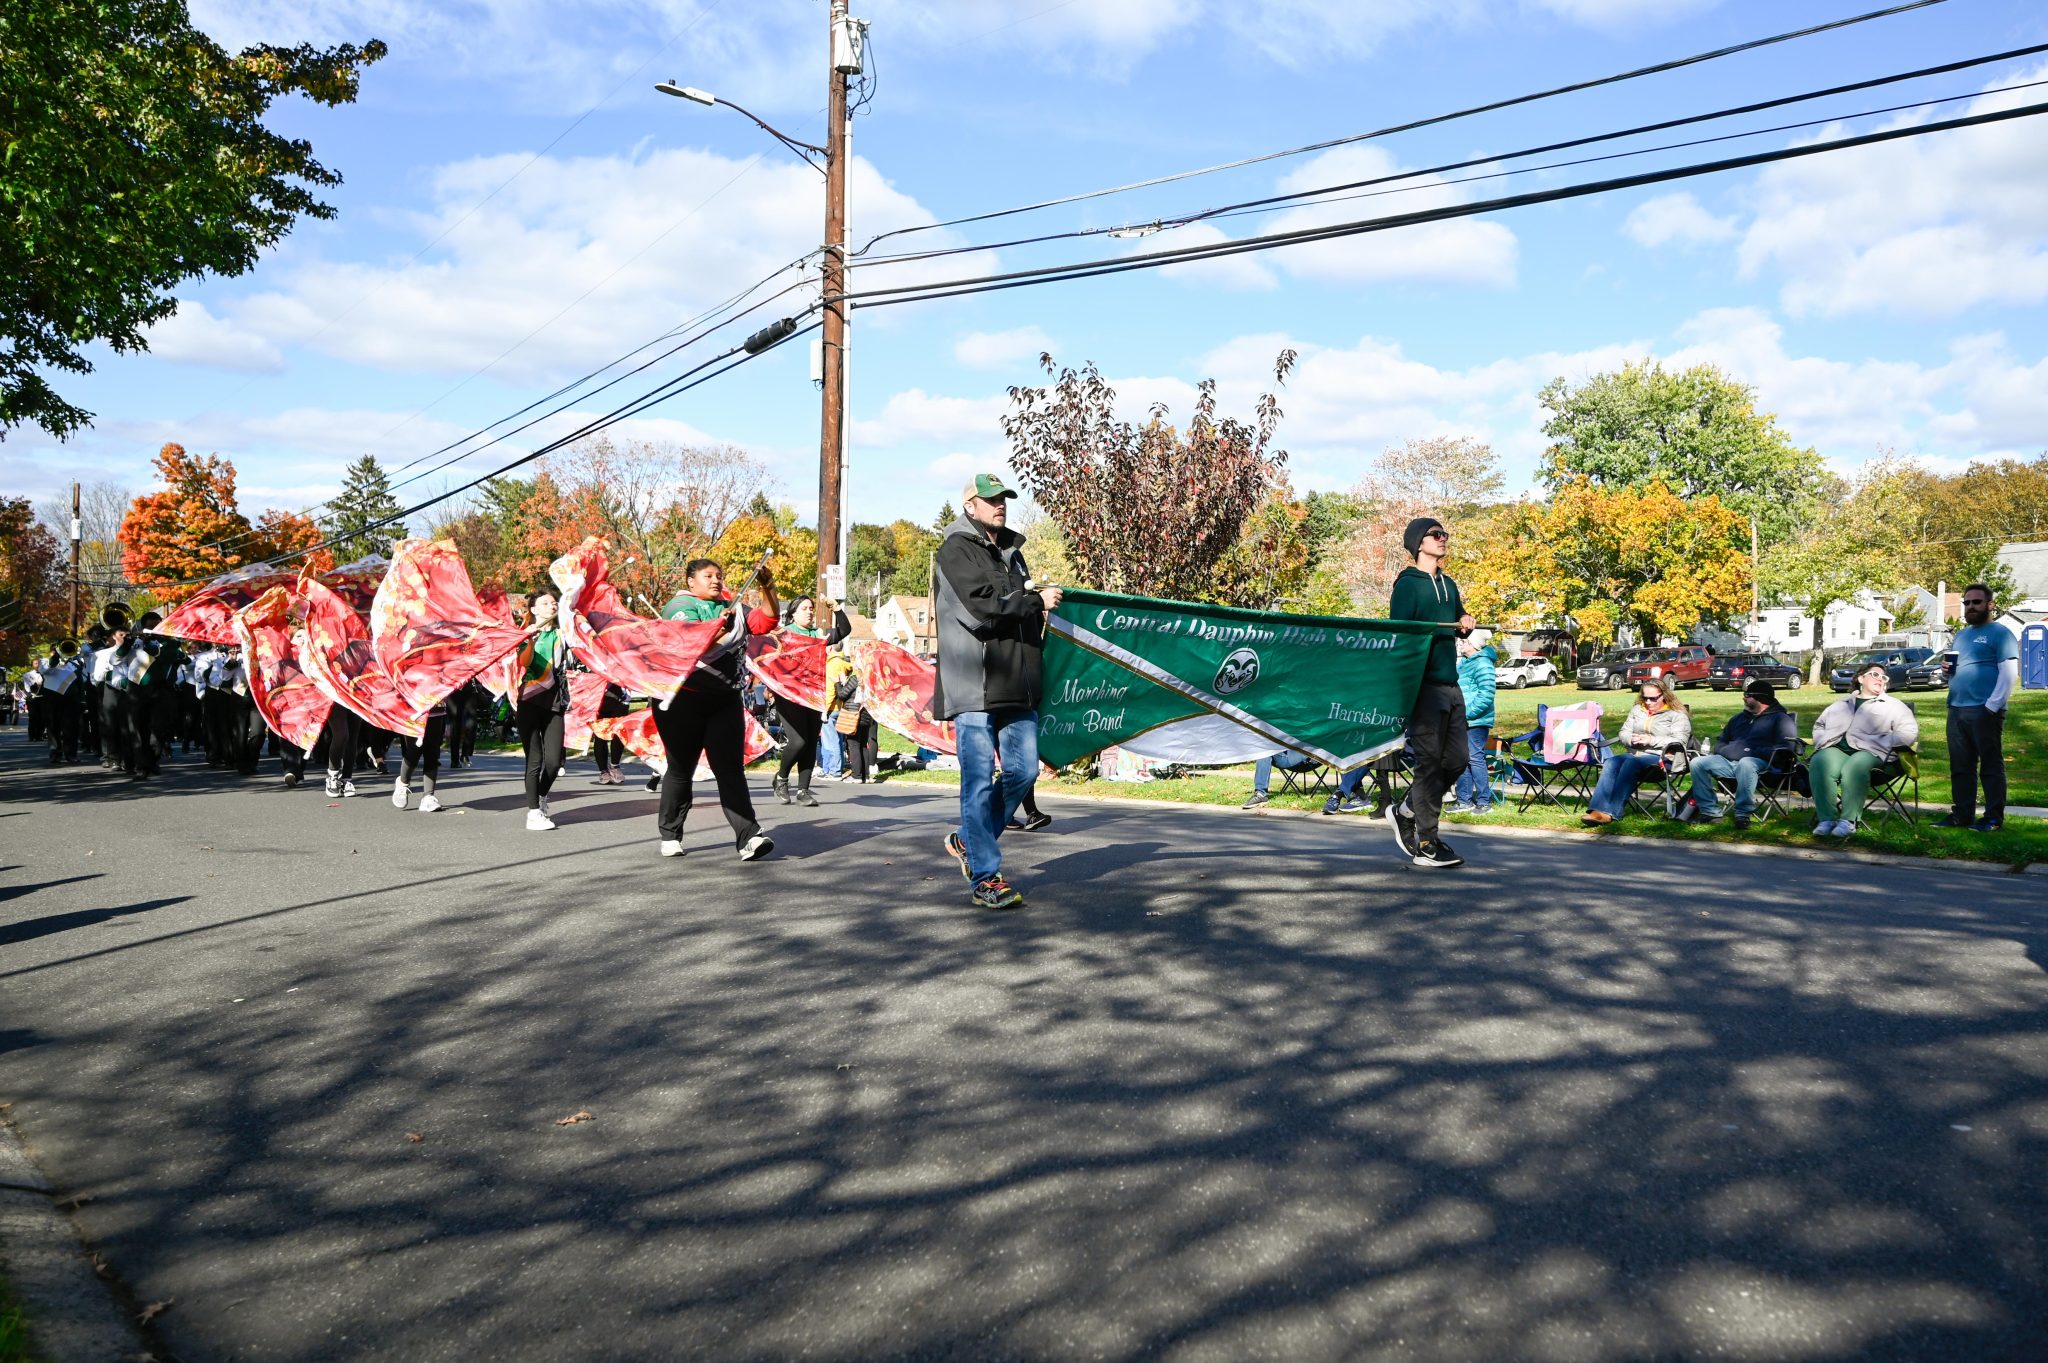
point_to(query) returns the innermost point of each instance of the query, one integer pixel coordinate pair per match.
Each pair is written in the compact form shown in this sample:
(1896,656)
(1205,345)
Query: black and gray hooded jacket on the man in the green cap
(990,623)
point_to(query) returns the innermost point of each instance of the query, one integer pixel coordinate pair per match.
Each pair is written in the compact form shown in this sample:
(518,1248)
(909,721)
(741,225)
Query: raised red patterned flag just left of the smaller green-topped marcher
(429,629)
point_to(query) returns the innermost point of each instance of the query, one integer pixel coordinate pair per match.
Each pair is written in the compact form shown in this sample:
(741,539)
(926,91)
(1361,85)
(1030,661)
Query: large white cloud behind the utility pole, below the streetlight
(593,253)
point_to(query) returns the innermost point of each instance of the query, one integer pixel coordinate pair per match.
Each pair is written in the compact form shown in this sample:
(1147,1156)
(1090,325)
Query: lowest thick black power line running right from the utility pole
(1117,265)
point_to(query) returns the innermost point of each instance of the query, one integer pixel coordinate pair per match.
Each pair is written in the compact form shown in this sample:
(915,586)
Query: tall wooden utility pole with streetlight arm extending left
(847,44)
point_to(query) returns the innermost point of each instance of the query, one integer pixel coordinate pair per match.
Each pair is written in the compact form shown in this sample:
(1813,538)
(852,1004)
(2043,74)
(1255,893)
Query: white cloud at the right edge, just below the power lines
(1920,228)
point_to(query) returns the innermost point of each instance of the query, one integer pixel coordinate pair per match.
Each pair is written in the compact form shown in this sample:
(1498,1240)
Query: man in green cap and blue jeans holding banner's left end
(990,650)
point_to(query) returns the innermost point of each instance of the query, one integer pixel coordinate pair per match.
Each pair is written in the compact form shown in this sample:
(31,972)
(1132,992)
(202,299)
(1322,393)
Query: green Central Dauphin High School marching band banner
(1215,685)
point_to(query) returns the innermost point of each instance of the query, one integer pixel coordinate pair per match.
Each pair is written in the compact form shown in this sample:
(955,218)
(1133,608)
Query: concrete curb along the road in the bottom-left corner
(73,1313)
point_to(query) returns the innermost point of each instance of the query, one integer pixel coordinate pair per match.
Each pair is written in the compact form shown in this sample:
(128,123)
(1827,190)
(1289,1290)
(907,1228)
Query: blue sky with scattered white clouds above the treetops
(1879,300)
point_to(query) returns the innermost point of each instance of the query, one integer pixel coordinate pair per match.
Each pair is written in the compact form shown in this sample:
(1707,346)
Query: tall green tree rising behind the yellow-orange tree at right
(1697,431)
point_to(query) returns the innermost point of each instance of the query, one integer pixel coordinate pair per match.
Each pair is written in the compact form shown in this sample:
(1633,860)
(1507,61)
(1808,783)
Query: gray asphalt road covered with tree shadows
(1230,1088)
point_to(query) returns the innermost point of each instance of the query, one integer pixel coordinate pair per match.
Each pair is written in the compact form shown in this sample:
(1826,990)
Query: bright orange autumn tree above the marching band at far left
(173,541)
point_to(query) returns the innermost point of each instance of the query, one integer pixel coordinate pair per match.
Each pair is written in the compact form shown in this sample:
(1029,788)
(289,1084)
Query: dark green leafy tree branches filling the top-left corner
(136,159)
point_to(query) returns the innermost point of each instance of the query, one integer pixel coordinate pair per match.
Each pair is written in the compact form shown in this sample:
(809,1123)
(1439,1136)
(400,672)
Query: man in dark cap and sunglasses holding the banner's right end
(1437,723)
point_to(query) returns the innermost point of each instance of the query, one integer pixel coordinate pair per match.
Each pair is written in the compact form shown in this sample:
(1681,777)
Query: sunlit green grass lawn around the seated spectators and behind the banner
(2020,842)
